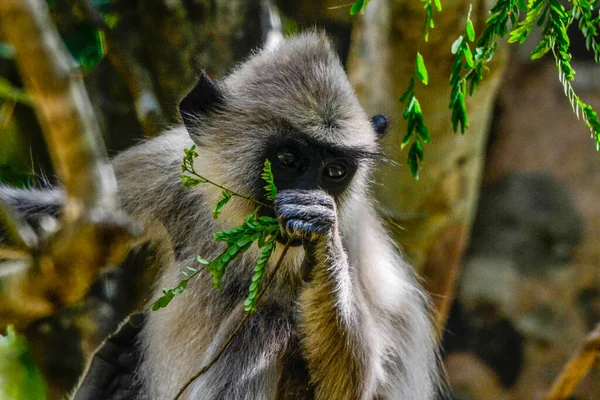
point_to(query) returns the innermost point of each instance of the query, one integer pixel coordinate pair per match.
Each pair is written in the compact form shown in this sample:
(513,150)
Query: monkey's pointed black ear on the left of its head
(203,99)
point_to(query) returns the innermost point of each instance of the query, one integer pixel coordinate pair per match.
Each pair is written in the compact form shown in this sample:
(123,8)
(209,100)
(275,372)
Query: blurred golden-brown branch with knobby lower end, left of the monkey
(93,234)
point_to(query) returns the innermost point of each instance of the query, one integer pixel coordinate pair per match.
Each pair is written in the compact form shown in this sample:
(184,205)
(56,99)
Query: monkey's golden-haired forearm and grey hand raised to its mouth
(336,325)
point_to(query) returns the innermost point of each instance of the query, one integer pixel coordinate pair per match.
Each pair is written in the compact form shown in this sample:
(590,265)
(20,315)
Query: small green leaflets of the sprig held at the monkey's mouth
(260,230)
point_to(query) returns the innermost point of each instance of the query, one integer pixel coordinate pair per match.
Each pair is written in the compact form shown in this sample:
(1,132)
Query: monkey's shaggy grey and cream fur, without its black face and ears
(362,320)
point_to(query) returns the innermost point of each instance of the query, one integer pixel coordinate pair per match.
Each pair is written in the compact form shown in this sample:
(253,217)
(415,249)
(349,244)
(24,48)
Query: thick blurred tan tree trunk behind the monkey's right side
(430,218)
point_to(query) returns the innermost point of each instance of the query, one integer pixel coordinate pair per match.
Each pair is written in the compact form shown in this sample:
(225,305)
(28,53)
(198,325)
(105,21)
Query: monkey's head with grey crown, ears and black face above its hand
(293,105)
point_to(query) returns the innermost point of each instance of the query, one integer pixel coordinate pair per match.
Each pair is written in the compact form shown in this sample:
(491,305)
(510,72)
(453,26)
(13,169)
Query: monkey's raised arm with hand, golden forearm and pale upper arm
(361,325)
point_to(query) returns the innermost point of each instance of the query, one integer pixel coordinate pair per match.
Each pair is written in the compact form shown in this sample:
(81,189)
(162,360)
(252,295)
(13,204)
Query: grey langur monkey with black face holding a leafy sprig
(345,316)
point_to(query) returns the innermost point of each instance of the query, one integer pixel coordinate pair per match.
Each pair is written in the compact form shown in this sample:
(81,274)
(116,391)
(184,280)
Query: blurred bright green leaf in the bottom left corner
(20,378)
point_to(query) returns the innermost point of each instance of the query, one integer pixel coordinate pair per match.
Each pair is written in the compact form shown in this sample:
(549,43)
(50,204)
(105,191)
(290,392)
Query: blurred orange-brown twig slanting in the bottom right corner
(577,367)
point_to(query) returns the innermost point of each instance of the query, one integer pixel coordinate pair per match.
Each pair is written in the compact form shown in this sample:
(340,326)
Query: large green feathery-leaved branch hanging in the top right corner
(551,15)
